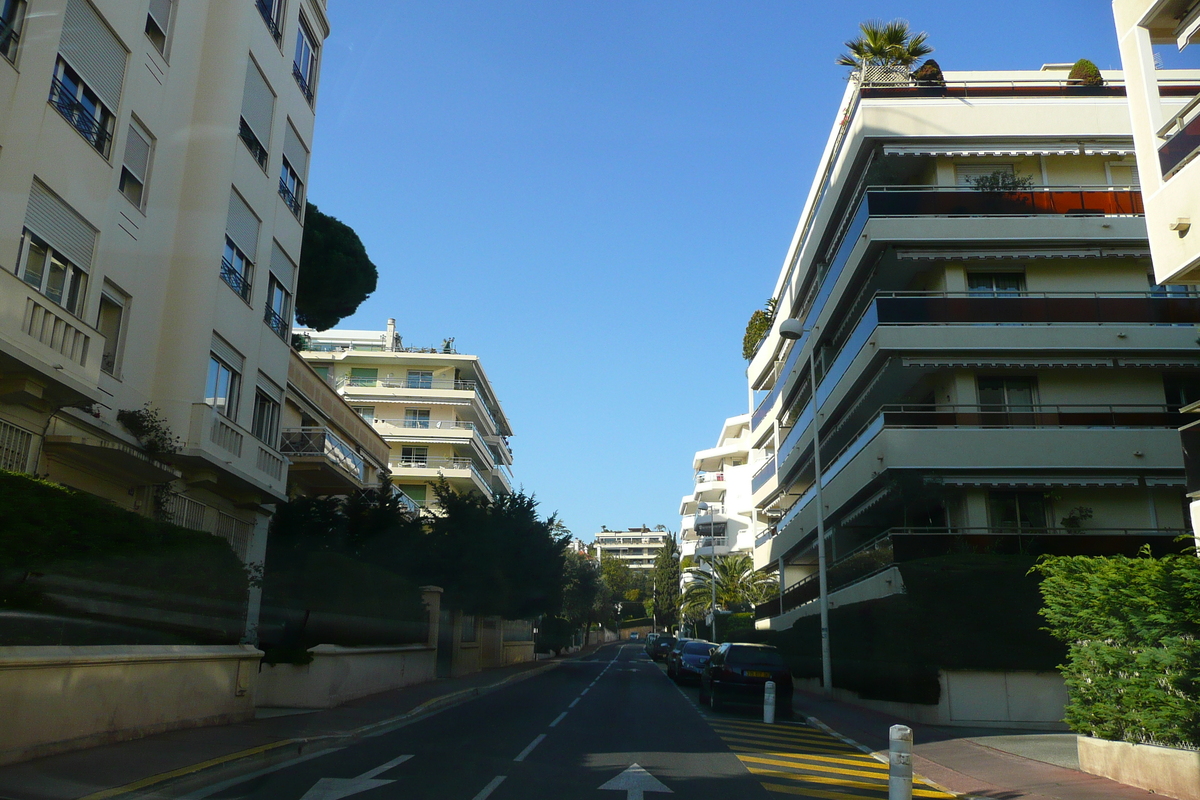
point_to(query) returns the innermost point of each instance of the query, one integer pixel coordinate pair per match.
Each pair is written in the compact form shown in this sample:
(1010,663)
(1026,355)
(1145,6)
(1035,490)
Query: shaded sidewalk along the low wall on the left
(140,767)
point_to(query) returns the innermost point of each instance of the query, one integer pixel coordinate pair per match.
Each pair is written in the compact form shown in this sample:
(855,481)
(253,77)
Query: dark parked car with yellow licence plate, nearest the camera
(737,673)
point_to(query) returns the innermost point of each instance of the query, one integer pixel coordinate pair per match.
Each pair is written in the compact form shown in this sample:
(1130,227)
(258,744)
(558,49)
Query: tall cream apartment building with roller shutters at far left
(154,161)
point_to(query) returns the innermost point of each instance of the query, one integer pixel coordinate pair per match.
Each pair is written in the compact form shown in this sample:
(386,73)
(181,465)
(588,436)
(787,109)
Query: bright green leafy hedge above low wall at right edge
(1132,630)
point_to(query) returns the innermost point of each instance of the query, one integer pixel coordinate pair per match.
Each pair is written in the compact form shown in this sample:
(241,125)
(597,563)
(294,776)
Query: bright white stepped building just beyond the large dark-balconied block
(723,484)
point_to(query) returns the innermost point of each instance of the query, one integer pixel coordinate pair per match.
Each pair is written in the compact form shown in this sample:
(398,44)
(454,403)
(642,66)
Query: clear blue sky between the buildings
(596,196)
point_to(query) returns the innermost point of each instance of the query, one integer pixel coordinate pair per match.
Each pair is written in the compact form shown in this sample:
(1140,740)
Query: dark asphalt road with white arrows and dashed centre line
(565,735)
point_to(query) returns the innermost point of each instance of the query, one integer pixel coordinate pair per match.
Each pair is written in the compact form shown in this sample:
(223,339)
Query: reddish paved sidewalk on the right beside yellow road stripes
(976,762)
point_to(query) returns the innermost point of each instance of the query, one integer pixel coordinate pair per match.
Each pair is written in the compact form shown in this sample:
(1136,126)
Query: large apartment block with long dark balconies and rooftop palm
(992,366)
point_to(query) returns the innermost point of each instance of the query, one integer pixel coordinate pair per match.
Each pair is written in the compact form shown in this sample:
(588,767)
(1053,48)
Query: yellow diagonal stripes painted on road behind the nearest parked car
(817,765)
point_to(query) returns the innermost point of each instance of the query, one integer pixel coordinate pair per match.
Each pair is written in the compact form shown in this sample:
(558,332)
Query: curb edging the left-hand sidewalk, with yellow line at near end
(238,763)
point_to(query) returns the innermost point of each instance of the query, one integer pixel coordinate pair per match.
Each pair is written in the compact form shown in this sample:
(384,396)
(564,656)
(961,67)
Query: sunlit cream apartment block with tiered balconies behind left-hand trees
(434,406)
